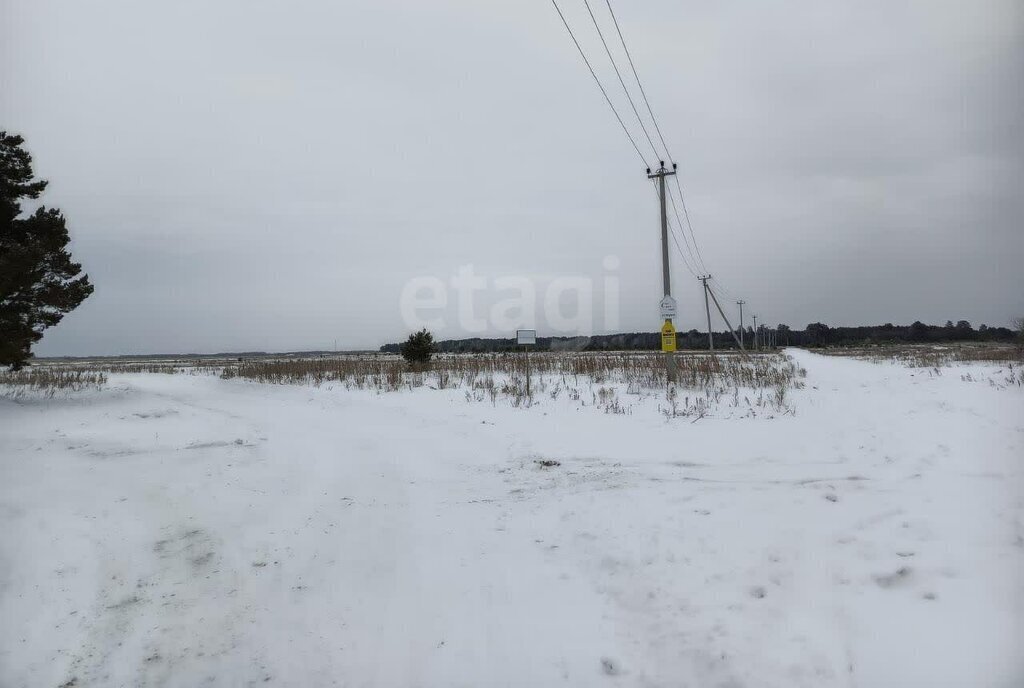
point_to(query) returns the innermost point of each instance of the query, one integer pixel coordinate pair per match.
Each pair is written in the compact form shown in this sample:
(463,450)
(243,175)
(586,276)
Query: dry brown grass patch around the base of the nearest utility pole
(588,379)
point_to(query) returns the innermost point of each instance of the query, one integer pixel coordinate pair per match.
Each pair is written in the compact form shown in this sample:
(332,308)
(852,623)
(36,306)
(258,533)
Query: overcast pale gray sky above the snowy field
(248,175)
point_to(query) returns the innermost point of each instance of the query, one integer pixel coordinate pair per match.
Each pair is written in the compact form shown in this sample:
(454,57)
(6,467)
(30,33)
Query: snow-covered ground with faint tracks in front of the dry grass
(188,531)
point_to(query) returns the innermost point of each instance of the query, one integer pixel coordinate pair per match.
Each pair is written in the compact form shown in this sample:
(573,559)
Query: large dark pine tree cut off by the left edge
(39,284)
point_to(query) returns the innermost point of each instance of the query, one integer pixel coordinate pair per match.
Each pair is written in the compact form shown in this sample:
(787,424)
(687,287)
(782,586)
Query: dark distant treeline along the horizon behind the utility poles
(815,335)
